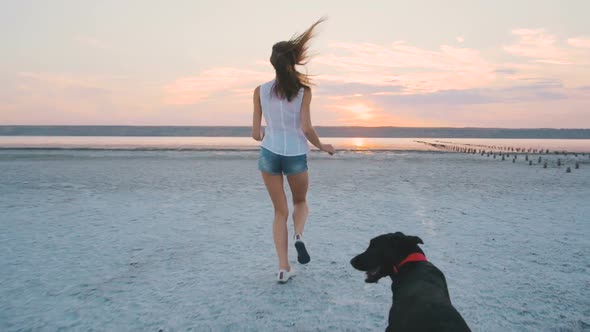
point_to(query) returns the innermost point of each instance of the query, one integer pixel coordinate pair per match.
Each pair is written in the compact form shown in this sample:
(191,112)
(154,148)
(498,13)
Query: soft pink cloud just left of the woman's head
(190,90)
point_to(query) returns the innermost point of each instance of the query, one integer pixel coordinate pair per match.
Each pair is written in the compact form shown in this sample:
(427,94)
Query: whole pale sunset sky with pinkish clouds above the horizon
(512,64)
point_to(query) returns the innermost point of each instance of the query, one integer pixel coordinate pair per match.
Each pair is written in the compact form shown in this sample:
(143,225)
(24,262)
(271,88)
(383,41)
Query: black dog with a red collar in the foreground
(421,299)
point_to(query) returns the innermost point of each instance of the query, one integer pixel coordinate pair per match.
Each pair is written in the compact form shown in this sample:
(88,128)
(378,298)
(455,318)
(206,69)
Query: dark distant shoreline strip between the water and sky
(244,131)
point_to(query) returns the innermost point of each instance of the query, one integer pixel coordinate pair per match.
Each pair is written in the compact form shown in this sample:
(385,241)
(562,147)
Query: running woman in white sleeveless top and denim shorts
(285,103)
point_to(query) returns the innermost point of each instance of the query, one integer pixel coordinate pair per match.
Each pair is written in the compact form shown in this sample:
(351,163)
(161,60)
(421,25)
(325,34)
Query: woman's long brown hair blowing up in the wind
(285,55)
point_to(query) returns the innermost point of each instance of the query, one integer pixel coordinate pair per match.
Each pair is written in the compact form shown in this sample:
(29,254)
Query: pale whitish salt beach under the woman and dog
(110,240)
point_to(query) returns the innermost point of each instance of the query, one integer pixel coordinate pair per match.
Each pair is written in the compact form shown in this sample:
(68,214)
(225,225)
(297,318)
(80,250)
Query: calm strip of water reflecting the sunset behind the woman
(244,143)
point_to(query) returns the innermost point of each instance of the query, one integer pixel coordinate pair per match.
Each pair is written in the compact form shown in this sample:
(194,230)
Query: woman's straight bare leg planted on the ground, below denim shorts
(274,185)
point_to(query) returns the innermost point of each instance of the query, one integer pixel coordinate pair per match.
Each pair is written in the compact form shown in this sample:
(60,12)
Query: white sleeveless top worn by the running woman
(283,134)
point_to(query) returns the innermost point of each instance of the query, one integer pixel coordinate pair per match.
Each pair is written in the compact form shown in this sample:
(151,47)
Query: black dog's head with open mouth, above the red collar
(384,252)
